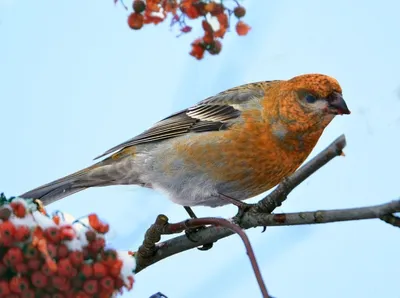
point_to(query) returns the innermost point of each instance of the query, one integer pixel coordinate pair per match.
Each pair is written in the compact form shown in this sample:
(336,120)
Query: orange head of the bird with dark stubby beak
(312,99)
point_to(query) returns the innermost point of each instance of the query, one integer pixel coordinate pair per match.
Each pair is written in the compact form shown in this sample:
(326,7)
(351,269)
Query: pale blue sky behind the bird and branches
(75,81)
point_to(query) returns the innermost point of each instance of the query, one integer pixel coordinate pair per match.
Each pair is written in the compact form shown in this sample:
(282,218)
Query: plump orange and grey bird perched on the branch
(237,143)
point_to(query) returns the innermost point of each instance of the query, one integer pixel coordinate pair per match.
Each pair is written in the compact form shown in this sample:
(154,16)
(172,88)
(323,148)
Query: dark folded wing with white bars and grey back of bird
(212,114)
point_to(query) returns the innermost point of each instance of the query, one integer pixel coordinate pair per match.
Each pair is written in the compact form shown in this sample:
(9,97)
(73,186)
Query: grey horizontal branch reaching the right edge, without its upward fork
(211,234)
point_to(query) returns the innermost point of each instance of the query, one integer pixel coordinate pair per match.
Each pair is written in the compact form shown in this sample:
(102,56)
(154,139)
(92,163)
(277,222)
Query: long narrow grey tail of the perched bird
(99,174)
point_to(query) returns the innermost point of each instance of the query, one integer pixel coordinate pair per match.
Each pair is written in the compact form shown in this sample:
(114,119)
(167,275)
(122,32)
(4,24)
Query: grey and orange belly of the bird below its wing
(193,171)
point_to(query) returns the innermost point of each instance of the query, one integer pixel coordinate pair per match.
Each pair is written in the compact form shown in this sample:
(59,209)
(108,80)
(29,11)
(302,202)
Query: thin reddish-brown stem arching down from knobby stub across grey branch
(162,227)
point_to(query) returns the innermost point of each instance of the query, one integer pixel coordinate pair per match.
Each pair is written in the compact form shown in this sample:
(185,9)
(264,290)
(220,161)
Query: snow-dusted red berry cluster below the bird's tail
(47,256)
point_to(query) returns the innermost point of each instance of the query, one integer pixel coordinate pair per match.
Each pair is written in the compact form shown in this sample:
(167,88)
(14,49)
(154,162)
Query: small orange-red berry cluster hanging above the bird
(212,12)
